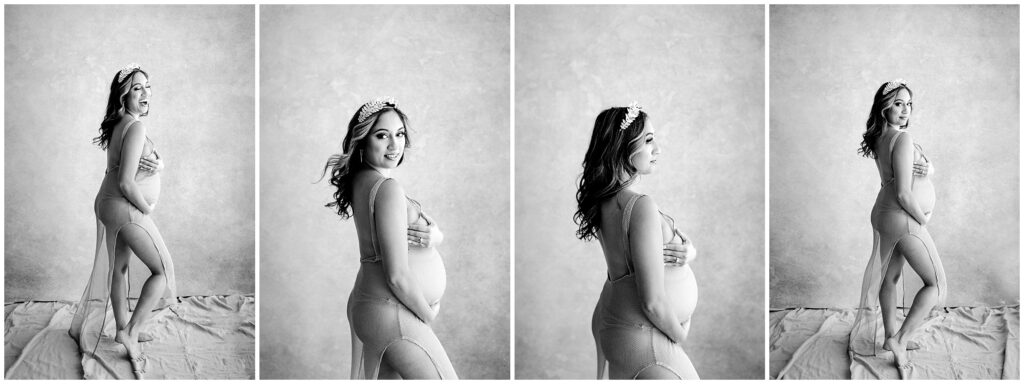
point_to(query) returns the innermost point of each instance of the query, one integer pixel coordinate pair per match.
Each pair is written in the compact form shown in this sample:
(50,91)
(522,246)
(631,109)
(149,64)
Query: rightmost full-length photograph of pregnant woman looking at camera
(894,192)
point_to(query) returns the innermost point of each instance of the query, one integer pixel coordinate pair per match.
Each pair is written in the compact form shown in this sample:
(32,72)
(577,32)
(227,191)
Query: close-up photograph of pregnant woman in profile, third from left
(639,184)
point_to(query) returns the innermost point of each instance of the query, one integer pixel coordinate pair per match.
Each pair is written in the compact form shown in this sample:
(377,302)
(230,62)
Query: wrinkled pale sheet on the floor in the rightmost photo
(963,344)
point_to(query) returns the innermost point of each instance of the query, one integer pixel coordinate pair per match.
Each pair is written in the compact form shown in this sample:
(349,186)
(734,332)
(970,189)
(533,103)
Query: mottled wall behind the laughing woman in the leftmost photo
(58,69)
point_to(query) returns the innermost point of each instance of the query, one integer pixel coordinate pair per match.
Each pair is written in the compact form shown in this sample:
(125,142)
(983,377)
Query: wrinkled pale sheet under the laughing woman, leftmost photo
(211,337)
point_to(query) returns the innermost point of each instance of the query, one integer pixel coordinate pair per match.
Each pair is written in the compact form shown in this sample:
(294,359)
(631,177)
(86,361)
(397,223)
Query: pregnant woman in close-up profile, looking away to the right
(643,317)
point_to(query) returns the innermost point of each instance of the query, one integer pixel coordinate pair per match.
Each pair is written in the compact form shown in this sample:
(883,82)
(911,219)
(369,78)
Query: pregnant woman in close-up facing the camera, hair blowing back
(402,278)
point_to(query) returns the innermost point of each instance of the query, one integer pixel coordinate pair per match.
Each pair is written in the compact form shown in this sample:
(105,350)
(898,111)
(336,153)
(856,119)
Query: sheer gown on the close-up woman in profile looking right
(626,339)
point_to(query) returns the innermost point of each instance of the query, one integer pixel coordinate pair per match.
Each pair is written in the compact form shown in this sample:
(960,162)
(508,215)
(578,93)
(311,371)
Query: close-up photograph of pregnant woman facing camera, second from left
(385,192)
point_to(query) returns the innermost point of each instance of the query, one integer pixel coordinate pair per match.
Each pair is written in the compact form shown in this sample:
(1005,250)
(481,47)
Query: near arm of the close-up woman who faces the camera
(392,225)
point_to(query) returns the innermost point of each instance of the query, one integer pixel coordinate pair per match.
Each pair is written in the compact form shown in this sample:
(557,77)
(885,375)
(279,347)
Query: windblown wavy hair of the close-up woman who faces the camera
(346,165)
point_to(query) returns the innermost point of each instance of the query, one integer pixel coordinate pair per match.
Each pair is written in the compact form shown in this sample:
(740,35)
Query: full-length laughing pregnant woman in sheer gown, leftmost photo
(126,200)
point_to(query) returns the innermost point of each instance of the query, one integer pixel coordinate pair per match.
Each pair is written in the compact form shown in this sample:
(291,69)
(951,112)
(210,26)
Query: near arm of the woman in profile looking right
(646,247)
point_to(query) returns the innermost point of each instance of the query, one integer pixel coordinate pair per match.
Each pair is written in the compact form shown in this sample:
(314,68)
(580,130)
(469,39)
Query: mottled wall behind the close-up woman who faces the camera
(449,69)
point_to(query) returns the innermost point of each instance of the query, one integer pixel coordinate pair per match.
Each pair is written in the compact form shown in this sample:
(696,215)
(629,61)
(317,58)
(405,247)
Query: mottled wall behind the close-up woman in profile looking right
(699,71)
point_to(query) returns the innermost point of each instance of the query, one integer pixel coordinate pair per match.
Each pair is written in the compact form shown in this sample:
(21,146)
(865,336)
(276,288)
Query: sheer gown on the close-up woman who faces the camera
(378,319)
